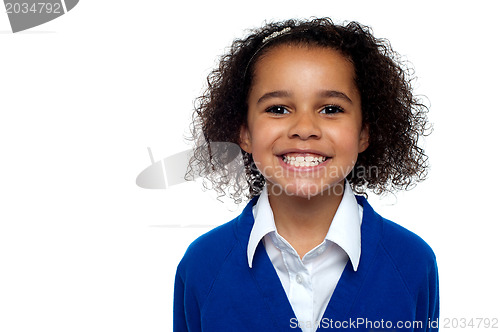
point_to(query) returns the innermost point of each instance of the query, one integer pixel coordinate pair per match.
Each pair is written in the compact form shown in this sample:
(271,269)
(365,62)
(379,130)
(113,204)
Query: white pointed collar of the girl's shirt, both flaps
(345,229)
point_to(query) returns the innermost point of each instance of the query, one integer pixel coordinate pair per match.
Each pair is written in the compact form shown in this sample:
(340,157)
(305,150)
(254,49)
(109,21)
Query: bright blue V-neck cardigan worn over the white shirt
(395,286)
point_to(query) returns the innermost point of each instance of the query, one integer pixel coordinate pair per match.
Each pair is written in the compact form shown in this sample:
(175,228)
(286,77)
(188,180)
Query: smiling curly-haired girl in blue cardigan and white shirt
(319,111)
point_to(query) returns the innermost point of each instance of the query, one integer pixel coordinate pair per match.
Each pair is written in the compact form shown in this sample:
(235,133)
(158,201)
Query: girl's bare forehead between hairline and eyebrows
(296,65)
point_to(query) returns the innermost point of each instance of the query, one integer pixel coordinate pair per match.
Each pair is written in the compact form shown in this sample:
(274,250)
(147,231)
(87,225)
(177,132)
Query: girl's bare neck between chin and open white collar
(304,222)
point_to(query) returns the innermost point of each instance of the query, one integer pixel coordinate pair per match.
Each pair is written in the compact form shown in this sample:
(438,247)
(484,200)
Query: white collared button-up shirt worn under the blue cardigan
(309,282)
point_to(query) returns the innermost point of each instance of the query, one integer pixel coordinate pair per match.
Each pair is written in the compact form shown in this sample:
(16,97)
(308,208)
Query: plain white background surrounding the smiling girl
(82,248)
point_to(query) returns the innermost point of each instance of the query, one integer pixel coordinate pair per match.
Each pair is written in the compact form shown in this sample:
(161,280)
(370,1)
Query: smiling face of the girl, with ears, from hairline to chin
(304,126)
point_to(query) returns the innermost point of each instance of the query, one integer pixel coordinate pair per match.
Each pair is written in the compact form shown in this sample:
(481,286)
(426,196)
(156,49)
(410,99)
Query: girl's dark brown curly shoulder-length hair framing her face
(396,118)
